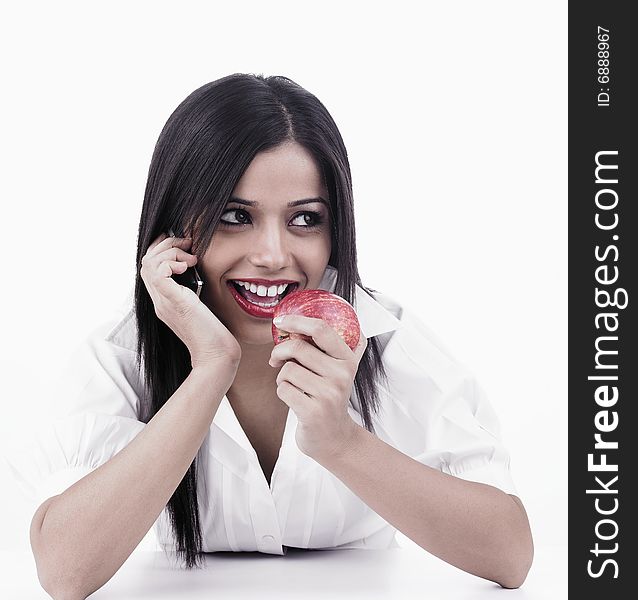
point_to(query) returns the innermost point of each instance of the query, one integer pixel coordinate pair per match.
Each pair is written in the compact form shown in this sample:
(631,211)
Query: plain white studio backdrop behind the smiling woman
(455,120)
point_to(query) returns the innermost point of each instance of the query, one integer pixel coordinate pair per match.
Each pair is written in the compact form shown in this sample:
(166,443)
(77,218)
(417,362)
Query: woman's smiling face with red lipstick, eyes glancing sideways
(275,230)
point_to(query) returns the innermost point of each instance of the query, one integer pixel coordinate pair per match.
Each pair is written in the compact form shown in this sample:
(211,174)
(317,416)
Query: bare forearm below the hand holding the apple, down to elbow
(472,526)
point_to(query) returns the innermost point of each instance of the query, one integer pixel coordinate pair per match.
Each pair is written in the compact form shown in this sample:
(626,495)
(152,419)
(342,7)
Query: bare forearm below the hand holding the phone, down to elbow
(85,534)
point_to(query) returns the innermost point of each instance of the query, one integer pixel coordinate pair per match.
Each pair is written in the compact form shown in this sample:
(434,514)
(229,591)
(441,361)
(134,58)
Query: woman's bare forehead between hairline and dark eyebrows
(287,172)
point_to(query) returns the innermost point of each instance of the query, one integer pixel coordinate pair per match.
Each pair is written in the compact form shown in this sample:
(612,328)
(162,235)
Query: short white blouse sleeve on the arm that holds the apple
(436,411)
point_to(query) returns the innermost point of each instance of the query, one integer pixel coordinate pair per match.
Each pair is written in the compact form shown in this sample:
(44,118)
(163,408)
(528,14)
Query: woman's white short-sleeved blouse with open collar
(432,409)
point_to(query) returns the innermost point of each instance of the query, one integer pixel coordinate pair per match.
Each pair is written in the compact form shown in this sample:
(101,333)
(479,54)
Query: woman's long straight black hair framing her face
(201,154)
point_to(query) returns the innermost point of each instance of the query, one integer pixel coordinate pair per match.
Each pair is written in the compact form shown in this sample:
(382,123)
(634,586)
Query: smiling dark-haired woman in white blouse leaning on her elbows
(251,446)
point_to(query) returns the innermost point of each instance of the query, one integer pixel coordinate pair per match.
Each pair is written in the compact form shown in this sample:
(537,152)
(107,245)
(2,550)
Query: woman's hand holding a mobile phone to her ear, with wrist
(205,336)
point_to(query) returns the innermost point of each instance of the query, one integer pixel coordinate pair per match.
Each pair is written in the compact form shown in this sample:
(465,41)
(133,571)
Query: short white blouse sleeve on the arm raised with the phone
(94,414)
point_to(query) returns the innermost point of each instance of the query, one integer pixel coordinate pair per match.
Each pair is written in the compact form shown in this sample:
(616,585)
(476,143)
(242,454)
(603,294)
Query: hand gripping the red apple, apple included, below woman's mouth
(318,367)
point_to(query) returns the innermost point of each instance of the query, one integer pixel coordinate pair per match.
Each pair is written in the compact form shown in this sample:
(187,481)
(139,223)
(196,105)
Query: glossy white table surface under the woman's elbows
(405,573)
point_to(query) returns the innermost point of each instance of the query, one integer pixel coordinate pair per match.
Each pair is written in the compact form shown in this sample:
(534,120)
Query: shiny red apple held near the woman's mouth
(318,304)
